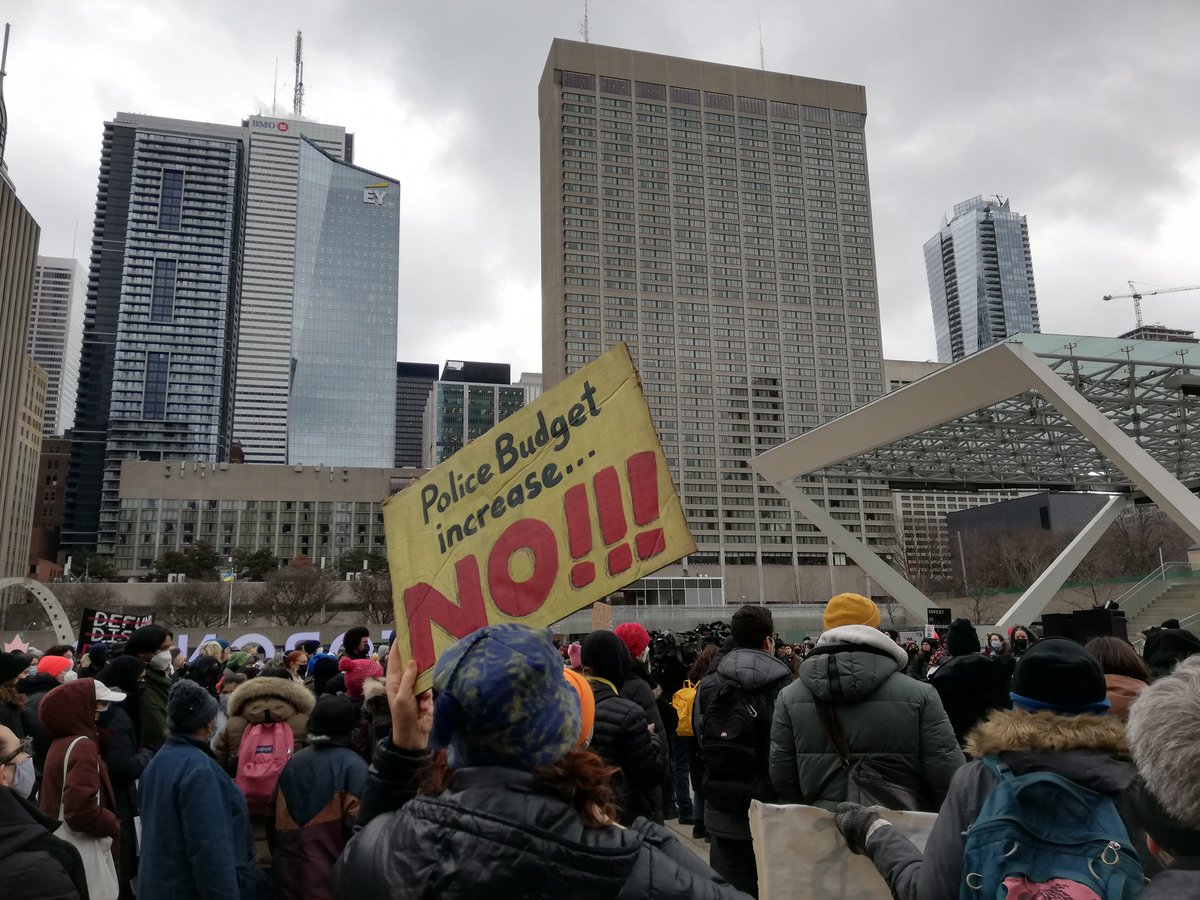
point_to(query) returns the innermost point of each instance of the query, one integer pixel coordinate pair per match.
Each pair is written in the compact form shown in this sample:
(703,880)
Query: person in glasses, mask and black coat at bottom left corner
(33,862)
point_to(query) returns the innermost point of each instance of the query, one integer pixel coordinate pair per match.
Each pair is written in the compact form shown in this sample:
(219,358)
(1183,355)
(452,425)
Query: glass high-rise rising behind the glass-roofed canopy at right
(981,278)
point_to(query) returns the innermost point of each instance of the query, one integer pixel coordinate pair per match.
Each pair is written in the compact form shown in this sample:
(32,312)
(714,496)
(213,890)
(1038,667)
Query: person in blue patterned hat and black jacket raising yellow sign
(509,806)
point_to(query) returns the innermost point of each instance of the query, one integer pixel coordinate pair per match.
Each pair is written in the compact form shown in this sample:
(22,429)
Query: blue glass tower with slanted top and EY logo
(343,395)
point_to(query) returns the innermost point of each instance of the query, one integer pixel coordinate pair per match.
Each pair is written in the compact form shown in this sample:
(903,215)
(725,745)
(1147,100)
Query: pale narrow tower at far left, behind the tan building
(56,335)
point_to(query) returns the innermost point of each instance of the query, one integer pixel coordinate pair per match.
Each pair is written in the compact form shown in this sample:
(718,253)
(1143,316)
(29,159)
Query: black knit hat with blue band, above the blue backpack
(1059,674)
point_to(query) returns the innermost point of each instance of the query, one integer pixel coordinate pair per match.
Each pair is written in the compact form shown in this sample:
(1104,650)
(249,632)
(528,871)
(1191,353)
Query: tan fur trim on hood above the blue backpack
(1015,730)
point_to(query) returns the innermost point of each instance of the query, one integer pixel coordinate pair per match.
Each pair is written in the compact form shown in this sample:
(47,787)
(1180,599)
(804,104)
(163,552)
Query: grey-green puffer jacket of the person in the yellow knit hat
(885,716)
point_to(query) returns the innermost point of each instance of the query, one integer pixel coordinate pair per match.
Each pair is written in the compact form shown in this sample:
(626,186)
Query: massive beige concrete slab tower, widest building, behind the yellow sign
(718,221)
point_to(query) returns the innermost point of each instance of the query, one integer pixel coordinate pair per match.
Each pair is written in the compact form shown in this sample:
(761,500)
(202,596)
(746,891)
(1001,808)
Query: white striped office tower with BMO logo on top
(265,337)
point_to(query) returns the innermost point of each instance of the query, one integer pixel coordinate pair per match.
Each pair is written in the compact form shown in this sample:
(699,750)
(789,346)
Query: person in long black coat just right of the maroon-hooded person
(125,759)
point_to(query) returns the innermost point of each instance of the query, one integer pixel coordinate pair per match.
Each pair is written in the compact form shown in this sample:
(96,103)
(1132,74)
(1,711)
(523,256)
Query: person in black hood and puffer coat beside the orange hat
(625,737)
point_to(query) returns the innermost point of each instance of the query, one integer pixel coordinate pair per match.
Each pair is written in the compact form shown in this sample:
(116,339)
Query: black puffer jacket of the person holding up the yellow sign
(496,832)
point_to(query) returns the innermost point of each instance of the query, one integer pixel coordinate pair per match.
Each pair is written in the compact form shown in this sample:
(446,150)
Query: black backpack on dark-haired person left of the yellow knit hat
(734,746)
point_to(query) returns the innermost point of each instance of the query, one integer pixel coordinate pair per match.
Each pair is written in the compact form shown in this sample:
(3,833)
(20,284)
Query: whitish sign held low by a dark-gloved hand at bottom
(802,856)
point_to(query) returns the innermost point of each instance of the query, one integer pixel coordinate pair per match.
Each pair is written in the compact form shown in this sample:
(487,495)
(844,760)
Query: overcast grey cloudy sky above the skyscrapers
(1083,113)
